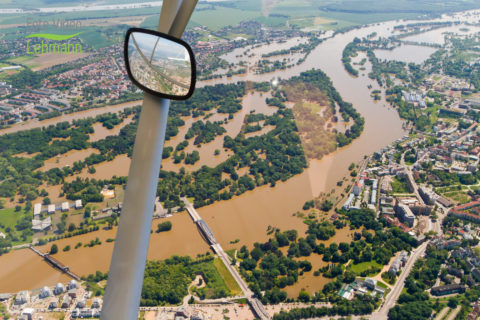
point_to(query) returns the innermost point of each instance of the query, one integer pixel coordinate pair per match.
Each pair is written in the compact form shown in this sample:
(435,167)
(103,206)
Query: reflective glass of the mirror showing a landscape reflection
(159,64)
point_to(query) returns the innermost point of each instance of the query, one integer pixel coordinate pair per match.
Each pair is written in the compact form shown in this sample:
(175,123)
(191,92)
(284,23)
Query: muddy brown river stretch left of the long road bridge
(23,269)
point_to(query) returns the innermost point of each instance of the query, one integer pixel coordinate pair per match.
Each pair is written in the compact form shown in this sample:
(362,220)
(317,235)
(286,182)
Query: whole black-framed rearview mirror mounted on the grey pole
(160,64)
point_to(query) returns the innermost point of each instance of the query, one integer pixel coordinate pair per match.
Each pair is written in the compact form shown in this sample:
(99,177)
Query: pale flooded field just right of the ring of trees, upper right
(406,53)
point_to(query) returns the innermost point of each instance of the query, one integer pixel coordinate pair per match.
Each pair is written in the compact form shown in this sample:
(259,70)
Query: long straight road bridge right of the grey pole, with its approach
(255,304)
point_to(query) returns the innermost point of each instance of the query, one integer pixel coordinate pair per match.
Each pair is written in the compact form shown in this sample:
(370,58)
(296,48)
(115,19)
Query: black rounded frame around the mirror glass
(168,37)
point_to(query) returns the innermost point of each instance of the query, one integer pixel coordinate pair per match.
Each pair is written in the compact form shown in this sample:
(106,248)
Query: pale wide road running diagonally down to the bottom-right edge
(392,297)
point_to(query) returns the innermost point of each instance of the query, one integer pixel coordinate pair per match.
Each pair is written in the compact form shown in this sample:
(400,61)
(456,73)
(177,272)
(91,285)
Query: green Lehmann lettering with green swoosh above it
(54,47)
